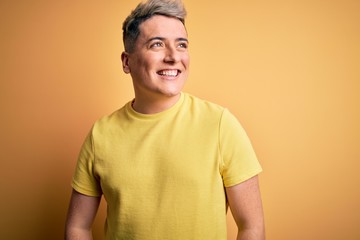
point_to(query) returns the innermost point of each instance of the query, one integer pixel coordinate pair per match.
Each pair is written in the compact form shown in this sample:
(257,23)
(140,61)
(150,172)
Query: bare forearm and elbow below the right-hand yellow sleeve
(246,207)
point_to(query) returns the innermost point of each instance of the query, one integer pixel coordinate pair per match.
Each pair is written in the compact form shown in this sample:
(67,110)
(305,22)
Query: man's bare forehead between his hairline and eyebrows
(162,26)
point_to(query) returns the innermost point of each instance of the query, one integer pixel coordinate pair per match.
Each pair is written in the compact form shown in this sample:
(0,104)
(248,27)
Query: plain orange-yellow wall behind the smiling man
(289,70)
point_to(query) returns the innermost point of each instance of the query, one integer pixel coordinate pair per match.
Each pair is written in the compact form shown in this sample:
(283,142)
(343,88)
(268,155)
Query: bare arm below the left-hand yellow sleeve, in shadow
(81,214)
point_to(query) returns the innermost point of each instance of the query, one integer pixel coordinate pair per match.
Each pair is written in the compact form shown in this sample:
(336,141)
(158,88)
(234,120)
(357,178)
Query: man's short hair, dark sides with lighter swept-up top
(144,11)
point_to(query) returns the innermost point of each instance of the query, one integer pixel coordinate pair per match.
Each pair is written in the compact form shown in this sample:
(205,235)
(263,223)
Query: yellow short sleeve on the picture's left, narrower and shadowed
(85,180)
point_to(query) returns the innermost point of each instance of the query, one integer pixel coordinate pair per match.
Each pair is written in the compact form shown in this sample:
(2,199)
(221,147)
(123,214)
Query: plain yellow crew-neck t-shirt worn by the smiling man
(163,175)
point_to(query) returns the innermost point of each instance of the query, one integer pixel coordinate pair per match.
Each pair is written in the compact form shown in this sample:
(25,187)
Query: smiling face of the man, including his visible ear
(159,64)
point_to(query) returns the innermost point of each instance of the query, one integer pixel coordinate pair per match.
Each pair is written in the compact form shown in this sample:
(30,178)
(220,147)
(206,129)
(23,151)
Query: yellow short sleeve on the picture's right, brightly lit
(239,161)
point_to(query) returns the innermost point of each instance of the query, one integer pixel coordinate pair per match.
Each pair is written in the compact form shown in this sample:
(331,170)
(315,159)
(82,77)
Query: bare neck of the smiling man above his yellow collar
(152,106)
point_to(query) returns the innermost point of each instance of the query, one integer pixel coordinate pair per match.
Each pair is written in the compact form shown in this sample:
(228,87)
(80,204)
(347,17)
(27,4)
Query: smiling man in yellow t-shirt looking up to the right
(167,163)
